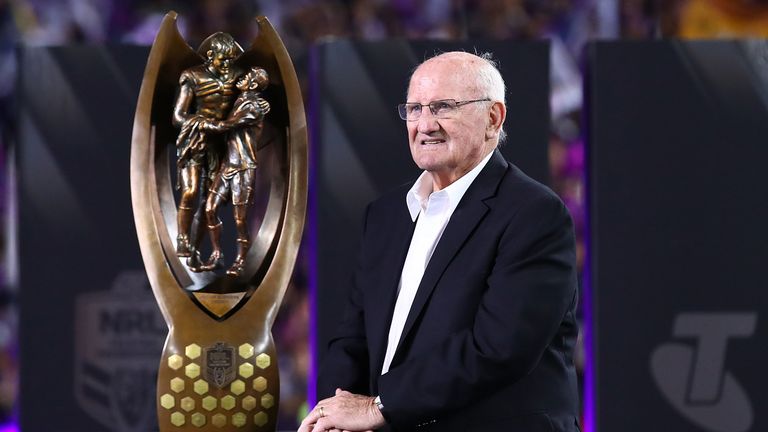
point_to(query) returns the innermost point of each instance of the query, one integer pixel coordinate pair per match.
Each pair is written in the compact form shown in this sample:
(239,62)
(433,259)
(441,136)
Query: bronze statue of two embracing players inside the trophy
(221,116)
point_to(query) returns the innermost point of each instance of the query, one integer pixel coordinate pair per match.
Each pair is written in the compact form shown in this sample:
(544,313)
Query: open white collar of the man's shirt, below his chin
(418,196)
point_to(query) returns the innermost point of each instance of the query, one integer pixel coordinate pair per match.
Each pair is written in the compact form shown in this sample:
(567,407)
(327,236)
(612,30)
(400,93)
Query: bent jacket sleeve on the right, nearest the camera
(530,289)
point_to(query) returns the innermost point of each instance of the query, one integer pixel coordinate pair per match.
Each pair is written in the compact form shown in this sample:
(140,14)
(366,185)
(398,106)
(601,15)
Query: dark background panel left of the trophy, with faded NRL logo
(80,263)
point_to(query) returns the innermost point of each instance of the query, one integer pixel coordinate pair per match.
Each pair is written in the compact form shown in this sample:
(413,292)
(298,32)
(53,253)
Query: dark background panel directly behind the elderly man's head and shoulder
(360,144)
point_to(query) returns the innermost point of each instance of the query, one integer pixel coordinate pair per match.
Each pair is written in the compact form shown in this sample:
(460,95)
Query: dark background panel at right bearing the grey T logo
(678,214)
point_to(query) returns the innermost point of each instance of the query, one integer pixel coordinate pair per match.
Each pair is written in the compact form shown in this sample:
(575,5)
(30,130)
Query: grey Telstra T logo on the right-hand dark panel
(694,379)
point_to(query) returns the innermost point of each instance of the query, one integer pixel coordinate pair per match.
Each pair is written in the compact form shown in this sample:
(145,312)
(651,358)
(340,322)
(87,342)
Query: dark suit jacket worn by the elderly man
(488,343)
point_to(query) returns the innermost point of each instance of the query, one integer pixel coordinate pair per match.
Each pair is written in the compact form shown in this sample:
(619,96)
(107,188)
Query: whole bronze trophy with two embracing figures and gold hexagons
(219,152)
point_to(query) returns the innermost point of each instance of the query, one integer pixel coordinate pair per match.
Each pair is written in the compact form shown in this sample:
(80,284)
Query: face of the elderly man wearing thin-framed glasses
(448,148)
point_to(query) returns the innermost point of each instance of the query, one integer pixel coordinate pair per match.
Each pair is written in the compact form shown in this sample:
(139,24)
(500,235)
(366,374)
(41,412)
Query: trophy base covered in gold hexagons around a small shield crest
(229,384)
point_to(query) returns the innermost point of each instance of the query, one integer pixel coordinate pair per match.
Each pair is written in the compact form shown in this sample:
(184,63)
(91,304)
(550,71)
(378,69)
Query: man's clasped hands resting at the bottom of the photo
(343,412)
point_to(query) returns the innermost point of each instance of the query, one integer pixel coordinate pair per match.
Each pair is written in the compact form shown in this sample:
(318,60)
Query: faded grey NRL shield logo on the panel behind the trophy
(119,335)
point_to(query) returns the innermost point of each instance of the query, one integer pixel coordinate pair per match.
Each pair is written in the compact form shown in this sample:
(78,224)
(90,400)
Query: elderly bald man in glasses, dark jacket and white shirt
(461,315)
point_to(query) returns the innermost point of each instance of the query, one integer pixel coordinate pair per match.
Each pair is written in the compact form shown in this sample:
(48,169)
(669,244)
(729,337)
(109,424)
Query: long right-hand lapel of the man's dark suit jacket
(468,214)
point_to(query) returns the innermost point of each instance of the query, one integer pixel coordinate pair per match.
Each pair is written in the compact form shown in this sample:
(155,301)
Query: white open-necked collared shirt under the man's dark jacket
(431,210)
